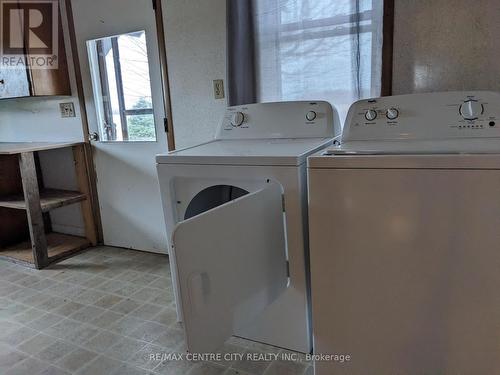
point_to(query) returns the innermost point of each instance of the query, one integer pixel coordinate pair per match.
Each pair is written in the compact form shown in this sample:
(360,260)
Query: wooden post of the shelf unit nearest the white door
(84,187)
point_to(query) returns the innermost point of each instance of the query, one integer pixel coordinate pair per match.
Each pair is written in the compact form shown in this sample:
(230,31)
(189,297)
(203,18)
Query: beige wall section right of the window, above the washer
(442,45)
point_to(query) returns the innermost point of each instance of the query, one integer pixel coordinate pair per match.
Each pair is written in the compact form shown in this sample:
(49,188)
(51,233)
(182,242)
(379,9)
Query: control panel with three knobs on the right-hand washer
(429,116)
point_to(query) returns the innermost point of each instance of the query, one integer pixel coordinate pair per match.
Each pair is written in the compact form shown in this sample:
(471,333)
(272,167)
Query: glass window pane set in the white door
(121,82)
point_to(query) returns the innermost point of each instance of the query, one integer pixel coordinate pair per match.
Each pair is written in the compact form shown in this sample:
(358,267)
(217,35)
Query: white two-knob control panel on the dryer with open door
(297,119)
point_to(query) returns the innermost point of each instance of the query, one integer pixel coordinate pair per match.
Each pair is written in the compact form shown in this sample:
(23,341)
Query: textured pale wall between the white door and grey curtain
(196,53)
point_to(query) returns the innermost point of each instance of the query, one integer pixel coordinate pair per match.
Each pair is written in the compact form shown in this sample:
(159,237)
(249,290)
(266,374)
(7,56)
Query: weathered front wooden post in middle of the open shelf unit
(27,168)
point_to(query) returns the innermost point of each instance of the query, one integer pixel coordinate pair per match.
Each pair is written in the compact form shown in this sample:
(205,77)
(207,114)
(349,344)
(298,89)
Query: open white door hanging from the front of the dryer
(231,265)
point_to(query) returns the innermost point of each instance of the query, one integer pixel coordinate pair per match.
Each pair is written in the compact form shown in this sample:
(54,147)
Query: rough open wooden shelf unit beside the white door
(25,204)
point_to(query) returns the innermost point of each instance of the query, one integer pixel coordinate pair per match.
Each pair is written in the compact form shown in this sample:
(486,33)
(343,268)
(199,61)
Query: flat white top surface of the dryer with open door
(288,151)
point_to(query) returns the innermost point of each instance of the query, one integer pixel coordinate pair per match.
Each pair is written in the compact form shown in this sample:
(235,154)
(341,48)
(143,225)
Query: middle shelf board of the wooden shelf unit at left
(49,199)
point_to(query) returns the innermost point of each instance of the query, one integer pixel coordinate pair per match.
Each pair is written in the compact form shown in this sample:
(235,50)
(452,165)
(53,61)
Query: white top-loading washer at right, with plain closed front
(405,237)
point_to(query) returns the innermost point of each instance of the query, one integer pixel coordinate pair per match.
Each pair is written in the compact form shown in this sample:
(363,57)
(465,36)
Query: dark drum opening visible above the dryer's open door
(212,197)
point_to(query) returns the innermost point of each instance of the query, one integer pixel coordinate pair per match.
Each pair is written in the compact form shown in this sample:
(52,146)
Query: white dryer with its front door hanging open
(236,216)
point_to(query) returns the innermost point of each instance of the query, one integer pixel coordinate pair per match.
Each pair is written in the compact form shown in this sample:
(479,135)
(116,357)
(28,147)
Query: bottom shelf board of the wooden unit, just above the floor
(58,245)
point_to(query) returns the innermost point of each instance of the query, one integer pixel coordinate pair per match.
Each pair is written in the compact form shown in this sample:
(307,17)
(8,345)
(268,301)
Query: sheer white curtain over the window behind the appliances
(318,50)
